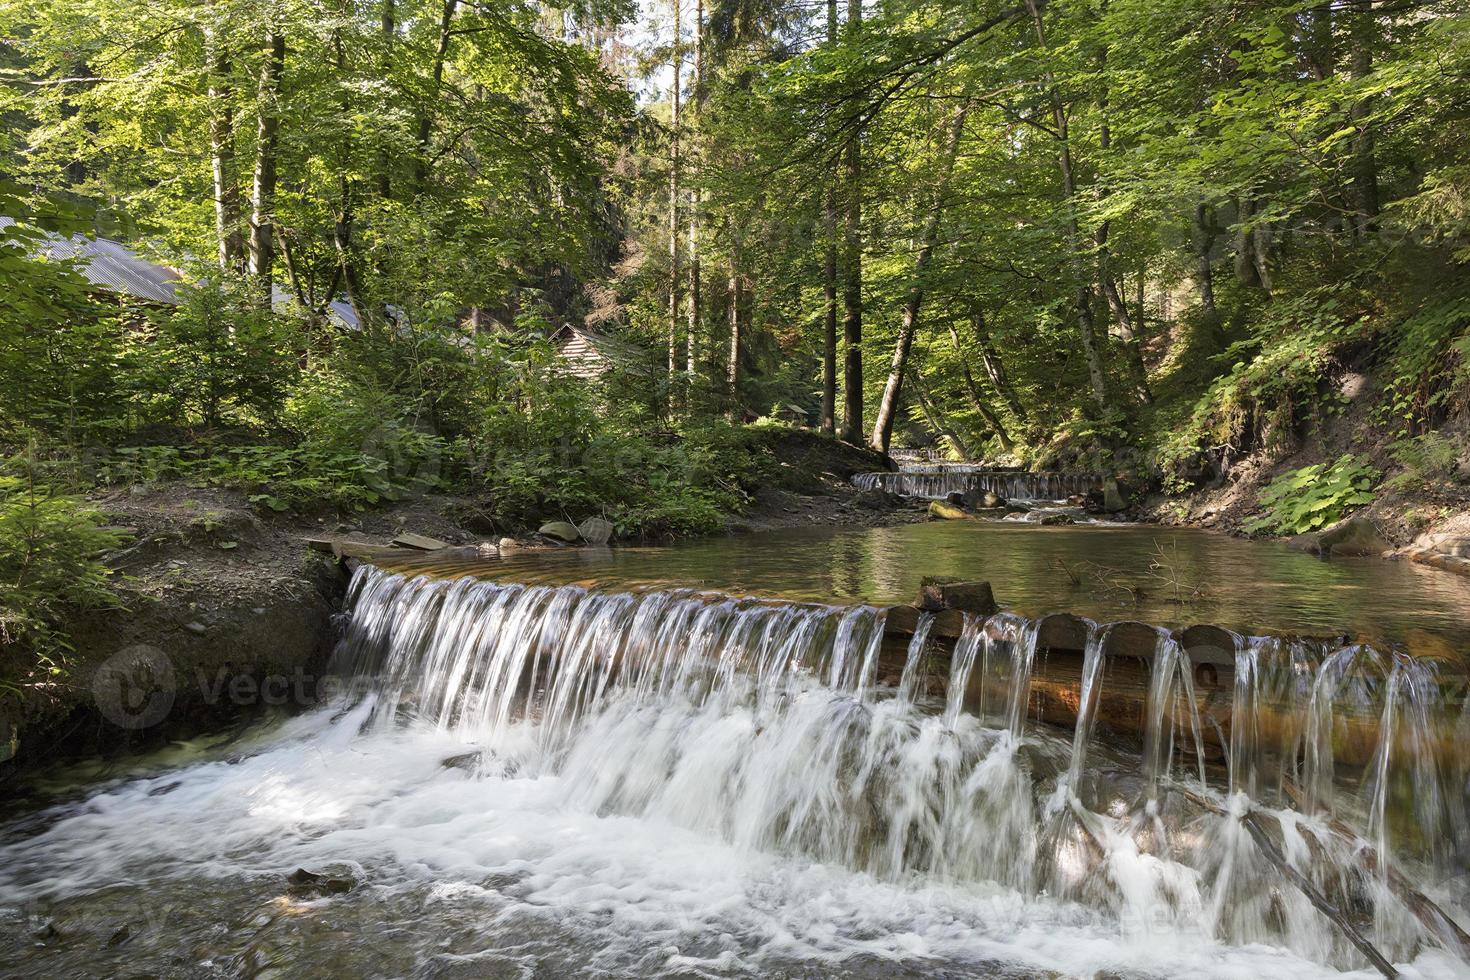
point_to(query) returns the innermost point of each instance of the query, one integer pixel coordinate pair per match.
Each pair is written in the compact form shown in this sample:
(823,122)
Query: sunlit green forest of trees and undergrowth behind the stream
(1165,240)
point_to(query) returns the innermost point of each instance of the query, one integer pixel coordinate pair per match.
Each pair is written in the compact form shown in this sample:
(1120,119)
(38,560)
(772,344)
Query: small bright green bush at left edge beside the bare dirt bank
(51,547)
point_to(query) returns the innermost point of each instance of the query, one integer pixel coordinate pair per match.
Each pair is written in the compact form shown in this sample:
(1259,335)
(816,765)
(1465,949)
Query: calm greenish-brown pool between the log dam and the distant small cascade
(1108,572)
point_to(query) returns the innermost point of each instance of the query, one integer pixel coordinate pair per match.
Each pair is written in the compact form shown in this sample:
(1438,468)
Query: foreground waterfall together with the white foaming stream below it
(548,779)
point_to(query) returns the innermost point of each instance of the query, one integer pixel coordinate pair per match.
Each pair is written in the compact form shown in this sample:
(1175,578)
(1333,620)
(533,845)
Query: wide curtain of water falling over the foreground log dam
(790,729)
